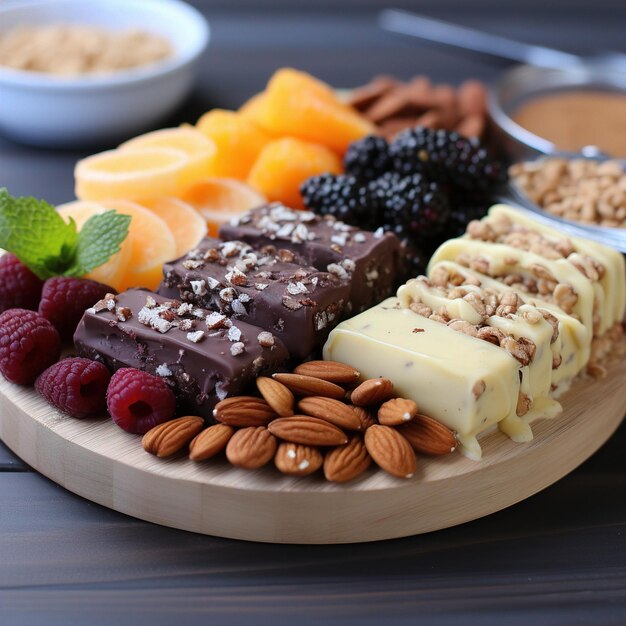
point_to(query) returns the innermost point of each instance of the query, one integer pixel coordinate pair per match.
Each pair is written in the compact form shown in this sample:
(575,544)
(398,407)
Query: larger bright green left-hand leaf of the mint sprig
(34,231)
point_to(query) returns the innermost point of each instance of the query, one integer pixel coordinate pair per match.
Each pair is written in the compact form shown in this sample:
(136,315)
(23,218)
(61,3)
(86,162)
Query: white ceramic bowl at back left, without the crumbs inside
(46,110)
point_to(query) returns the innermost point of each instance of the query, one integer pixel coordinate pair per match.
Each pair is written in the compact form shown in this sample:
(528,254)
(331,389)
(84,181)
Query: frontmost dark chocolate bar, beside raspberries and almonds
(203,359)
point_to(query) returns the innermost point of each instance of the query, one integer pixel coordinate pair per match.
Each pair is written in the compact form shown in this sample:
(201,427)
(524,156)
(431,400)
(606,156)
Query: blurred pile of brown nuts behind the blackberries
(394,105)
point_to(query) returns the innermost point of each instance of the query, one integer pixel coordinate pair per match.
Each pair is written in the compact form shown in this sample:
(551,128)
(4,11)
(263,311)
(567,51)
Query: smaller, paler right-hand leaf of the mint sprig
(99,239)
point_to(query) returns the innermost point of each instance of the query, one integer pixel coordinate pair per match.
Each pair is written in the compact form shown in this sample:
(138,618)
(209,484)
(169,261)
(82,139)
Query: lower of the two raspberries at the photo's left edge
(28,345)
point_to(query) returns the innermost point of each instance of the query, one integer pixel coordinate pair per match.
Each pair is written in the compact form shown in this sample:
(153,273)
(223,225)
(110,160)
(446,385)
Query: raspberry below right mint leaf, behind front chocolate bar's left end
(64,300)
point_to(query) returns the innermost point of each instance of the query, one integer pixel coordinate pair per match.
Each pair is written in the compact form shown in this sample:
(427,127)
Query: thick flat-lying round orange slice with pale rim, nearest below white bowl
(144,172)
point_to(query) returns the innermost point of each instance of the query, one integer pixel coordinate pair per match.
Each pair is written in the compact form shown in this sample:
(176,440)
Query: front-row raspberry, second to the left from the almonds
(75,386)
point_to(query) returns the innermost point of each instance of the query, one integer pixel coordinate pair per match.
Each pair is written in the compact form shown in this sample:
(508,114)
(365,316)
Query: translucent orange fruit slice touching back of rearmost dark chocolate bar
(219,199)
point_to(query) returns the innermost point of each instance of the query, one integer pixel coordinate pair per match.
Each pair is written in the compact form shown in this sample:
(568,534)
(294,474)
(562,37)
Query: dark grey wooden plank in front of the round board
(561,554)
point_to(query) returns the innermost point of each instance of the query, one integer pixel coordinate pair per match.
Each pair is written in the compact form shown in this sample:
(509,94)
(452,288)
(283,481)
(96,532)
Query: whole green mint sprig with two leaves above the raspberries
(39,237)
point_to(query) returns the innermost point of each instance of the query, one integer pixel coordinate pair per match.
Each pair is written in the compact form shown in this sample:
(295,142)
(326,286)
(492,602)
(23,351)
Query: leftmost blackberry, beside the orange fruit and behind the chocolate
(345,197)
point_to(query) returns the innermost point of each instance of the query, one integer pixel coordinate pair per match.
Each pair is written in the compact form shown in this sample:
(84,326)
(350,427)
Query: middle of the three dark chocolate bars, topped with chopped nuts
(271,289)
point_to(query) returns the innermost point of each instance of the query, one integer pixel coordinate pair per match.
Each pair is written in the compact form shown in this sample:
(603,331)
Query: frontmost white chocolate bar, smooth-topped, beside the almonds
(467,384)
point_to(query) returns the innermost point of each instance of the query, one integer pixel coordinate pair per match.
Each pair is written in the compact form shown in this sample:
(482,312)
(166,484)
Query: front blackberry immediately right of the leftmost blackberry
(412,207)
